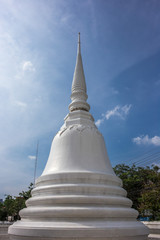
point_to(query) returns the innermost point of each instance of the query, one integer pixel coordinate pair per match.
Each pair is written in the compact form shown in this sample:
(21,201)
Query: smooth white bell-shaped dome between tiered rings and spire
(81,145)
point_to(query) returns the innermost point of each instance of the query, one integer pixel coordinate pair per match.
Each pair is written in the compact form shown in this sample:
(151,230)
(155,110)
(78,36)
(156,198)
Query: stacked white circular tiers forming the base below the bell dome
(78,206)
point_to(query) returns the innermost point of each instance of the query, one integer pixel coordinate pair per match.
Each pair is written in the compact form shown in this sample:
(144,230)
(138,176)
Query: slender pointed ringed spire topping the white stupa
(79,90)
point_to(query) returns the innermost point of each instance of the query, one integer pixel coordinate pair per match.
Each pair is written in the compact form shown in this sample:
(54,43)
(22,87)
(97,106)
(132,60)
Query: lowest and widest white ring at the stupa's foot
(105,230)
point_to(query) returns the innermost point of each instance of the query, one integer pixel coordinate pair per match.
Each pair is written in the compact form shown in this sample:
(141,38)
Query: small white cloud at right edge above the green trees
(145,140)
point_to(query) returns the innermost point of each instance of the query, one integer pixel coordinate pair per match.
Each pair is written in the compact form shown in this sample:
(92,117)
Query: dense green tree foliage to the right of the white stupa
(143,188)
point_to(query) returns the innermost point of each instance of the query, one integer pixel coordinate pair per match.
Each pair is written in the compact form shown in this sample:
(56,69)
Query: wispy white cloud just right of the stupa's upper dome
(118,111)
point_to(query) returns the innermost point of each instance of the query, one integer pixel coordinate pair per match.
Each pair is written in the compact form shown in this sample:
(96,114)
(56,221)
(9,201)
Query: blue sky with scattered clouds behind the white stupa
(121,57)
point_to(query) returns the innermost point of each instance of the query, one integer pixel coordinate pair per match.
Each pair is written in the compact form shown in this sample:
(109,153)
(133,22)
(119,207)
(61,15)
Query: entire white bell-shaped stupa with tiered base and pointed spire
(78,196)
